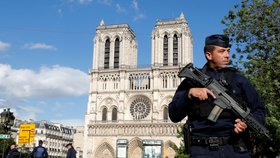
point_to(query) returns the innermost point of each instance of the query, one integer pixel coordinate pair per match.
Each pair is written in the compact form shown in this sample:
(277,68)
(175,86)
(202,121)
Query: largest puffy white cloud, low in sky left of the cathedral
(56,81)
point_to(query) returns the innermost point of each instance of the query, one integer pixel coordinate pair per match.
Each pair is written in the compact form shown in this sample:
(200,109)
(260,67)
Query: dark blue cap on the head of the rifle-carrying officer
(217,40)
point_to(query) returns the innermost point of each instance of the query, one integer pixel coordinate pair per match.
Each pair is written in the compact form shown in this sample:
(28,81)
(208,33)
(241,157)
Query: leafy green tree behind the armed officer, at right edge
(254,28)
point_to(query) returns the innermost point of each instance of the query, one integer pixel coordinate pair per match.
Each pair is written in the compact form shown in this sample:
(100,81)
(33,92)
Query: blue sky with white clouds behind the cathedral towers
(46,47)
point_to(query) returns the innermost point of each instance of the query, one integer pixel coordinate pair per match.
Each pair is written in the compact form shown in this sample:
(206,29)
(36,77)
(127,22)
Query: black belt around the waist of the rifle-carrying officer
(205,141)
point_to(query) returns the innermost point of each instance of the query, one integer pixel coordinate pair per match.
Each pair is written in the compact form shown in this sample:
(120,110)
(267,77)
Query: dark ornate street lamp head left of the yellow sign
(7,119)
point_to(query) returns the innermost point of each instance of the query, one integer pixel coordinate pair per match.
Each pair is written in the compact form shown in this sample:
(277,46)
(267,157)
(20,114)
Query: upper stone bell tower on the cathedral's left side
(115,46)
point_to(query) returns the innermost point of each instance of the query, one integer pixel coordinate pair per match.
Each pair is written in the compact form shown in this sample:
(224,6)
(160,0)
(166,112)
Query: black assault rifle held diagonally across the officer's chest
(223,100)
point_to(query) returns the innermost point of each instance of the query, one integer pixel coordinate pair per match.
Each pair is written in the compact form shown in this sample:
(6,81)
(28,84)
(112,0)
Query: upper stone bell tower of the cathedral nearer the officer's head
(172,43)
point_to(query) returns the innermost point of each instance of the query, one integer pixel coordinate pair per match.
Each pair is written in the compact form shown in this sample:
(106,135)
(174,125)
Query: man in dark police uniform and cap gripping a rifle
(225,137)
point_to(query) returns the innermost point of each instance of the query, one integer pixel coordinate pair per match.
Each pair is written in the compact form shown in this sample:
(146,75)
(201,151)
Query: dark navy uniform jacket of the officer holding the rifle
(198,111)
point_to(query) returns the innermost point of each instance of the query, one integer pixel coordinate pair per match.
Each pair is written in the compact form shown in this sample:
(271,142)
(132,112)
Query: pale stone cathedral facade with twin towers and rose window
(127,112)
